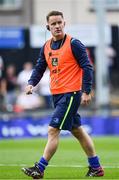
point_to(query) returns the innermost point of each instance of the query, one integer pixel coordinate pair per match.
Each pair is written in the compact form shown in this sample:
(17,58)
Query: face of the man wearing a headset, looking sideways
(56,25)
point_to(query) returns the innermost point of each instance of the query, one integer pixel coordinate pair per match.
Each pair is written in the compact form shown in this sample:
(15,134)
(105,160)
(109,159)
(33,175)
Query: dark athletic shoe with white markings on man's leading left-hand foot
(34,172)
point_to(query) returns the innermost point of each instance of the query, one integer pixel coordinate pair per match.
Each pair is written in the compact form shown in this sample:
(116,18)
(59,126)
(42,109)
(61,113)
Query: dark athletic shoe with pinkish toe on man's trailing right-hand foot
(95,172)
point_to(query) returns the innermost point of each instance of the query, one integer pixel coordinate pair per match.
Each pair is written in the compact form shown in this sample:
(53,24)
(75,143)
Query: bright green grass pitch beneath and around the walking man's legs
(69,162)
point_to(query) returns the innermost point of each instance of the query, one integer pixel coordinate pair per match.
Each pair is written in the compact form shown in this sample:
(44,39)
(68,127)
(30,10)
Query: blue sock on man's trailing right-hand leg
(94,162)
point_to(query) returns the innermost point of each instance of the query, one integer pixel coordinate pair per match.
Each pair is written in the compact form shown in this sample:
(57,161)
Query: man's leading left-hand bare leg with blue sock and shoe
(37,171)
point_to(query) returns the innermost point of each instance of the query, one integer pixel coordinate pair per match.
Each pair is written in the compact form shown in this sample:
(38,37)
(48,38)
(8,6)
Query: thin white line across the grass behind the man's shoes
(63,166)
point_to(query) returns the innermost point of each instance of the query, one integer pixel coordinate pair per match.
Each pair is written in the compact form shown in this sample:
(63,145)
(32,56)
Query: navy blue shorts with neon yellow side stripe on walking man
(65,115)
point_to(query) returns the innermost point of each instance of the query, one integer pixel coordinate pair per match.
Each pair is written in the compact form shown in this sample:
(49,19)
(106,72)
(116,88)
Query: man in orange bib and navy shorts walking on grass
(71,75)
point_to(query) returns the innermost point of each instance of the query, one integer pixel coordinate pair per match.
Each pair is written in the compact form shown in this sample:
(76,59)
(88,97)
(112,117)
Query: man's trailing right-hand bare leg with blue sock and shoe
(87,144)
